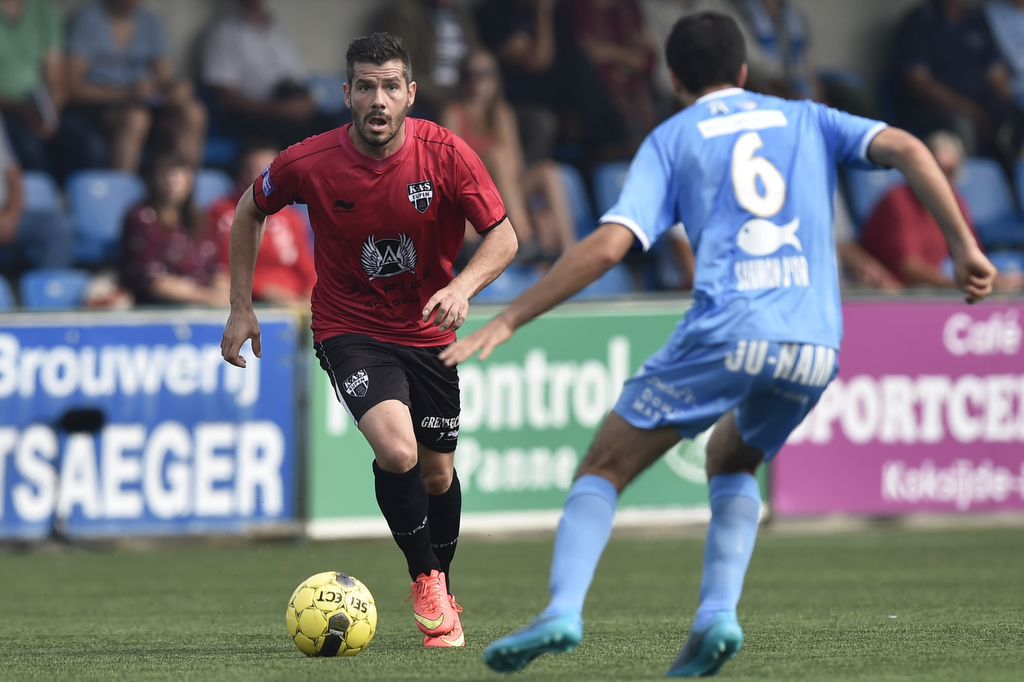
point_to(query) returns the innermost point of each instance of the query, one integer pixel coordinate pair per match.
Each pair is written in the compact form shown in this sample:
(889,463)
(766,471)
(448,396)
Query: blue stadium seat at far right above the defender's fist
(989,197)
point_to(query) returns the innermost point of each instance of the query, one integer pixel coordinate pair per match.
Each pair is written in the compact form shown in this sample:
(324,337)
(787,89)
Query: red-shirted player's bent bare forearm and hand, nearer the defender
(493,257)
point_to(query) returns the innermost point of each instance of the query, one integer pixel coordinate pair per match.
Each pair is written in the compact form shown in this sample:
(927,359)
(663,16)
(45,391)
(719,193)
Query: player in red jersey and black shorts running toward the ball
(389,199)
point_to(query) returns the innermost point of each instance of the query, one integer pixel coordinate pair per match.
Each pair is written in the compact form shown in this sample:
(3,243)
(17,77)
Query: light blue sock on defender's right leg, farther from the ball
(736,506)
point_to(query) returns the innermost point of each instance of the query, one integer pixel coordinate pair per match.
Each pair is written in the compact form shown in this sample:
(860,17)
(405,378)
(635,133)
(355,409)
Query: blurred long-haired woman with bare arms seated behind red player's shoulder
(535,196)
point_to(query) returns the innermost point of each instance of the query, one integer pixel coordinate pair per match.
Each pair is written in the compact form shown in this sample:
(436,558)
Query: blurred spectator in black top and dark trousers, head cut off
(552,87)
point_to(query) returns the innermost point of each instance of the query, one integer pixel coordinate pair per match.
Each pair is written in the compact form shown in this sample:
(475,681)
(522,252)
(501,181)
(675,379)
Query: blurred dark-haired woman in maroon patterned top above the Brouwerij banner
(168,255)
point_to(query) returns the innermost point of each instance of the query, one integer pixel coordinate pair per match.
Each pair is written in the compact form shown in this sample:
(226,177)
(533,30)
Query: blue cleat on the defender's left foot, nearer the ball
(548,633)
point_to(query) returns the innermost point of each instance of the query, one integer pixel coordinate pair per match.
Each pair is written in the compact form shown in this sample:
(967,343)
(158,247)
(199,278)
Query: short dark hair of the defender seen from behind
(706,50)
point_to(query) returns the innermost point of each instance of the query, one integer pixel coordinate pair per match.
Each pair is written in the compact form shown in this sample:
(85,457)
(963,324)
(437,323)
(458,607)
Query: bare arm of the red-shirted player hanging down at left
(247,233)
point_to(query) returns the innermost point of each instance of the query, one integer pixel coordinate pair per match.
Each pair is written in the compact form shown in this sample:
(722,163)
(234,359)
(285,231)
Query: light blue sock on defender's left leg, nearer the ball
(583,533)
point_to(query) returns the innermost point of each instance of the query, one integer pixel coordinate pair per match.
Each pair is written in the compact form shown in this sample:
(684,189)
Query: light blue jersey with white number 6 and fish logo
(751,178)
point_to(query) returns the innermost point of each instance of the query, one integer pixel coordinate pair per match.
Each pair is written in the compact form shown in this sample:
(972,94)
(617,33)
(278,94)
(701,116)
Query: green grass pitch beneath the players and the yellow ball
(877,606)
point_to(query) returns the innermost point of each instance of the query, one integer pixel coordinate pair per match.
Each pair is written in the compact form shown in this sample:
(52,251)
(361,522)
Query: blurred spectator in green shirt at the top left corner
(31,77)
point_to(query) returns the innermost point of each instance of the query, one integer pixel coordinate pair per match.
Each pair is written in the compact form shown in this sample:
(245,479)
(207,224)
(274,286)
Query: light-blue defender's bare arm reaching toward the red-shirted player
(578,268)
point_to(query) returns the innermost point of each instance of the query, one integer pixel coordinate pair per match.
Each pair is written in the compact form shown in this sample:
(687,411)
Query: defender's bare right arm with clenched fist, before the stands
(899,149)
